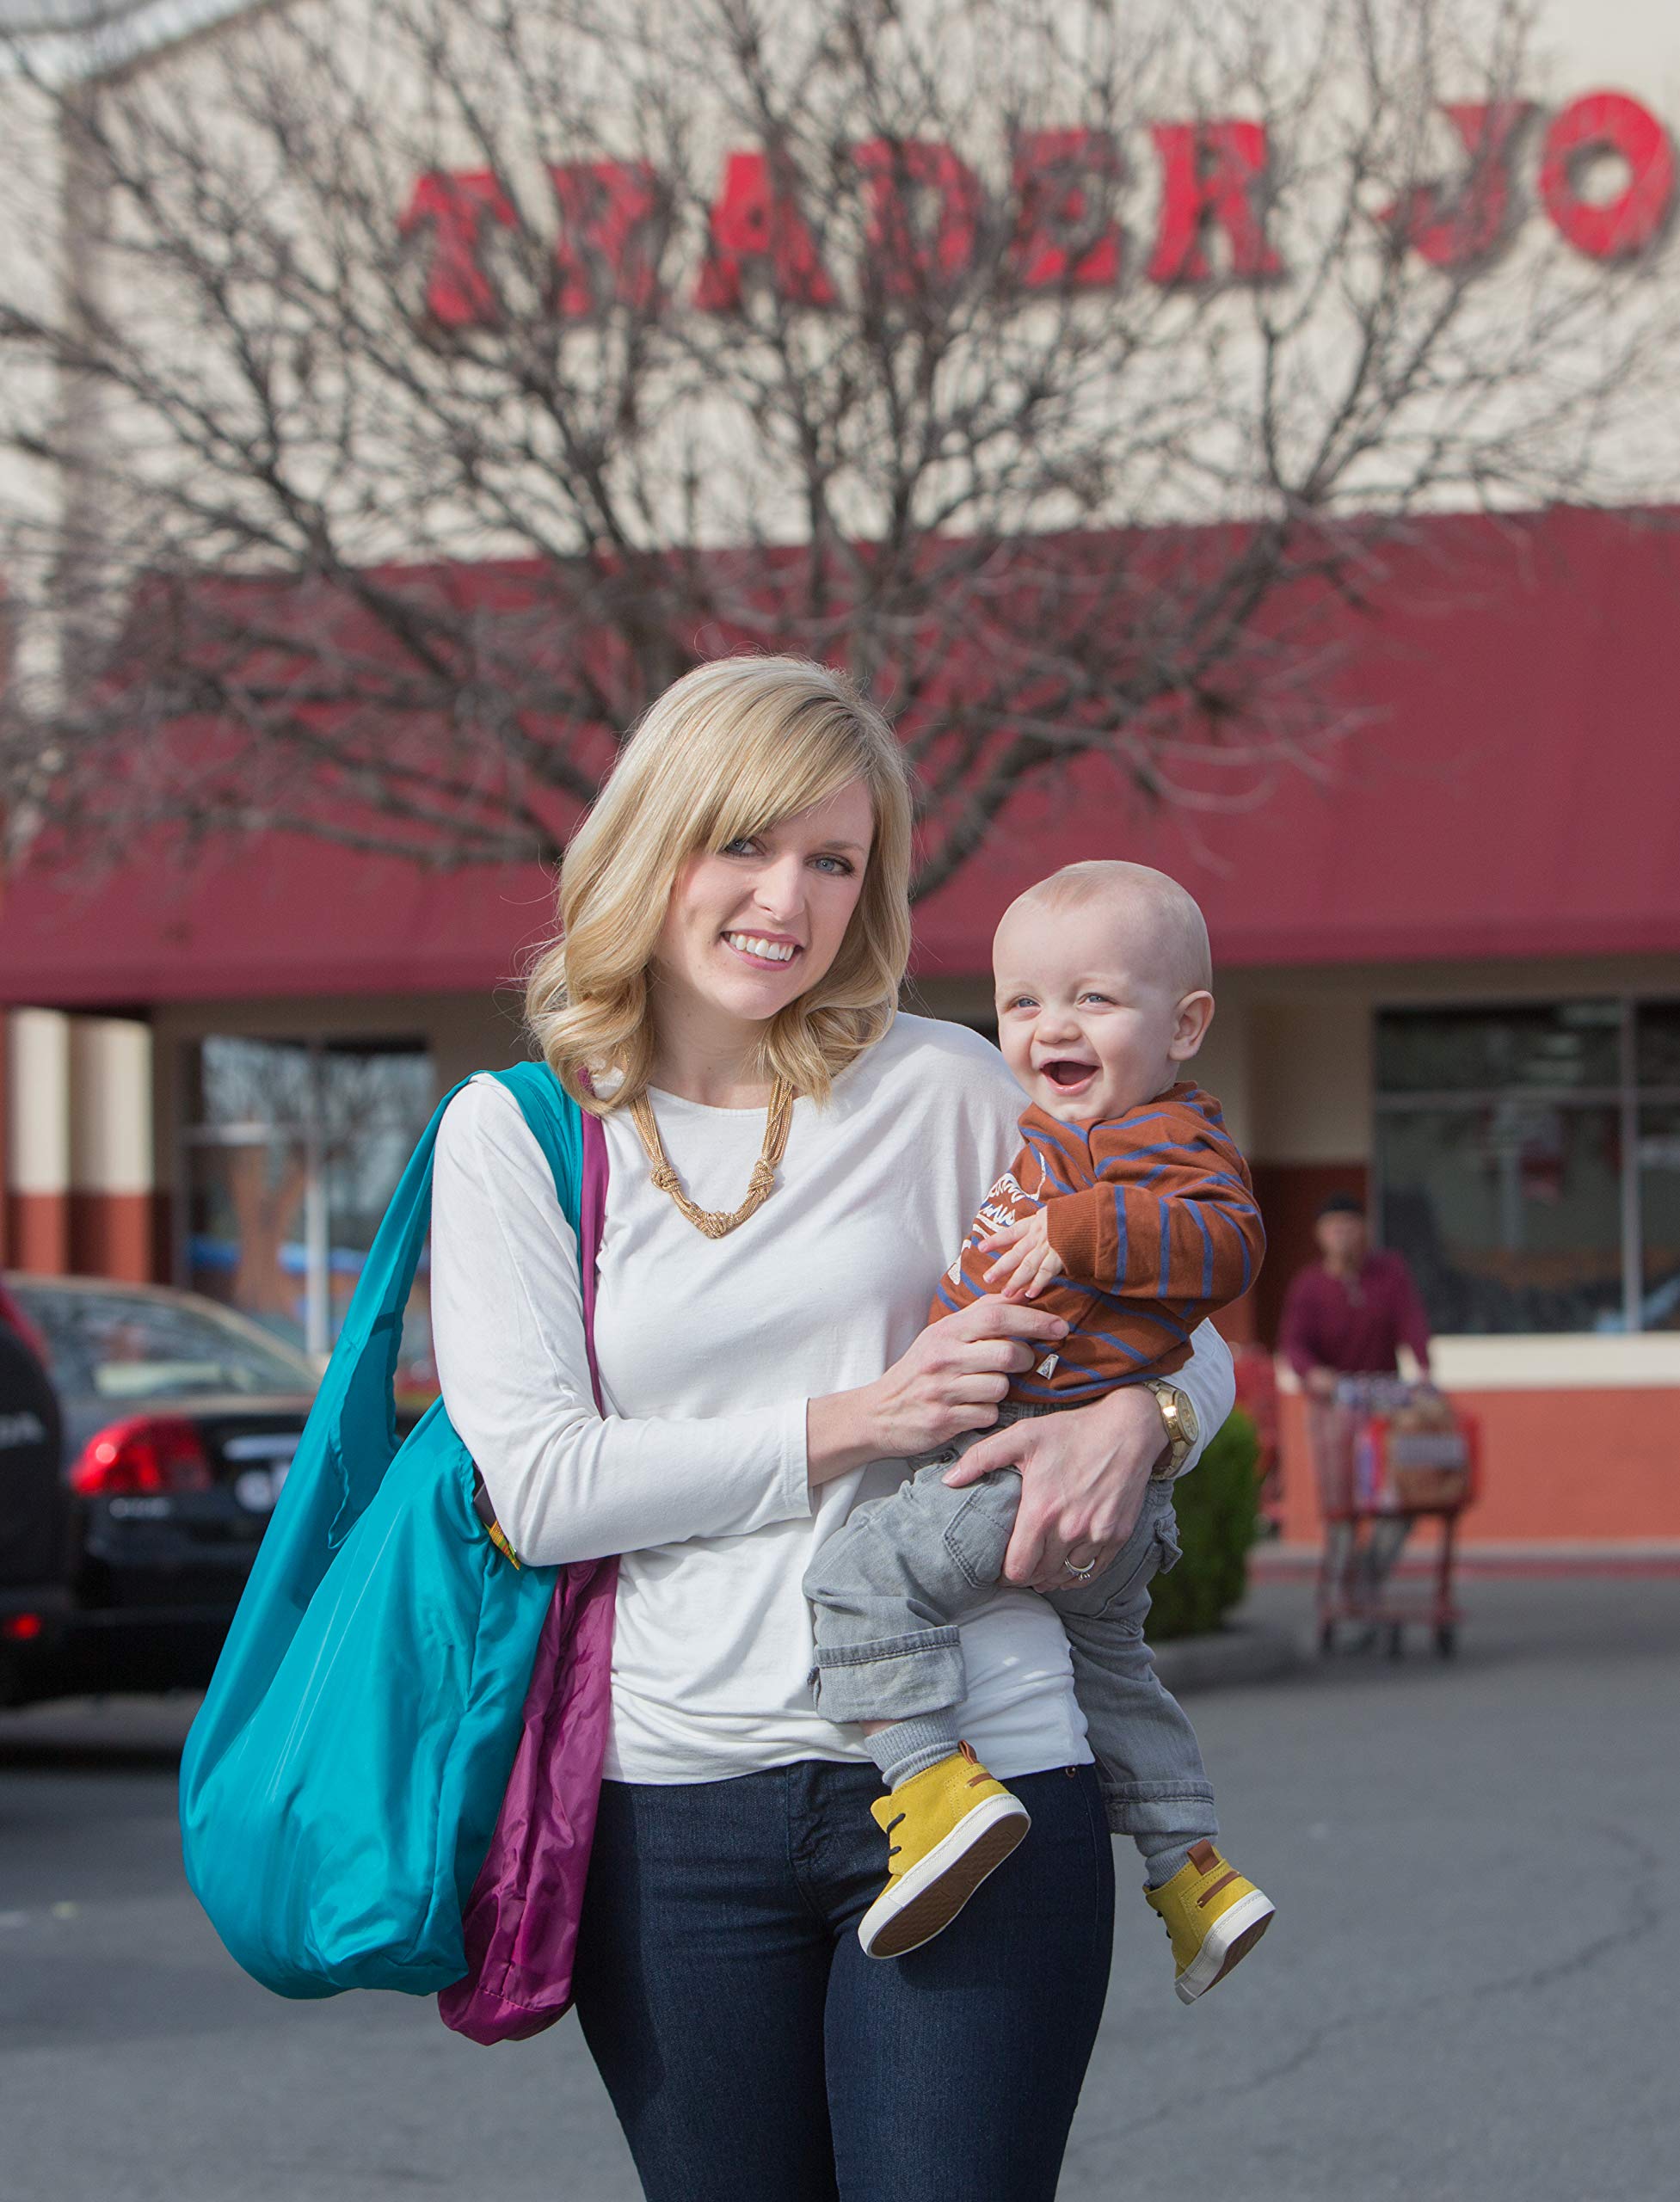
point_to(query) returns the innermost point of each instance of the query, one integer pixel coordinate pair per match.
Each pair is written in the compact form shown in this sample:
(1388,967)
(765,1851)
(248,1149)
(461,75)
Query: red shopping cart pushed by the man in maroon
(1390,1454)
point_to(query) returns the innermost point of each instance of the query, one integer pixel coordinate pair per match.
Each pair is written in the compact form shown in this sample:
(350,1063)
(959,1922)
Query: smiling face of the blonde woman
(759,924)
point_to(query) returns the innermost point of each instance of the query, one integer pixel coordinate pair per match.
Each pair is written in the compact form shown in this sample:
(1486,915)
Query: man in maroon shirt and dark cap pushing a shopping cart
(1346,1318)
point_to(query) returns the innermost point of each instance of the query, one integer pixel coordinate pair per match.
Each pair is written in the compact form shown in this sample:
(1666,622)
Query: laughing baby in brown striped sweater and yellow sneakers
(1131,1214)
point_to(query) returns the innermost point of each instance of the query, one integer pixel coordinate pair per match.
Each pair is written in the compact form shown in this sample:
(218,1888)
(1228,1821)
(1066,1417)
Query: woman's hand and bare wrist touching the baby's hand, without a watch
(950,1382)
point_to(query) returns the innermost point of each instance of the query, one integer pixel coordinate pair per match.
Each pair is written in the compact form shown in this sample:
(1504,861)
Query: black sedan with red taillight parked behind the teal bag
(179,1421)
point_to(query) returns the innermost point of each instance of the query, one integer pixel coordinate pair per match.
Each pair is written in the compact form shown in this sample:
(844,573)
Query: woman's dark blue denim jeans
(756,2056)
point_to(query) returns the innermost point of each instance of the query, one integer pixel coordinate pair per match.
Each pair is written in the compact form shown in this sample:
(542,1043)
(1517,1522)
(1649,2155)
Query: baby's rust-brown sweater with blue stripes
(1155,1219)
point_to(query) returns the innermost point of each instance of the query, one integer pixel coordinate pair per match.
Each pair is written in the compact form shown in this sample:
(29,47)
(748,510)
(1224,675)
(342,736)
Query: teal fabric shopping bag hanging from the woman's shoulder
(345,1774)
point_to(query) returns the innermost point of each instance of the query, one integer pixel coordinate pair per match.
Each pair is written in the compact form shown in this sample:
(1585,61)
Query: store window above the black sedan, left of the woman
(292,1155)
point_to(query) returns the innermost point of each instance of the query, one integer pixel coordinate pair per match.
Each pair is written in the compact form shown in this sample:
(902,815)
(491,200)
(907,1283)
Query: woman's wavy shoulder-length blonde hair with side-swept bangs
(726,752)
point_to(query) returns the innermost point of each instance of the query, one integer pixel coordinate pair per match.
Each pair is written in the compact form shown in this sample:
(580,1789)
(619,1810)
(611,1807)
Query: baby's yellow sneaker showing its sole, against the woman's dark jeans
(952,1827)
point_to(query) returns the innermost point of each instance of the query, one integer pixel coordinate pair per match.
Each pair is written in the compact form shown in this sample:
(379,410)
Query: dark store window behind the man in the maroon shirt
(1529,1164)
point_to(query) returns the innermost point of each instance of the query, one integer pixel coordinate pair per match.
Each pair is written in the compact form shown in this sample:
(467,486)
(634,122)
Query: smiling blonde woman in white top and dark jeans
(792,1164)
